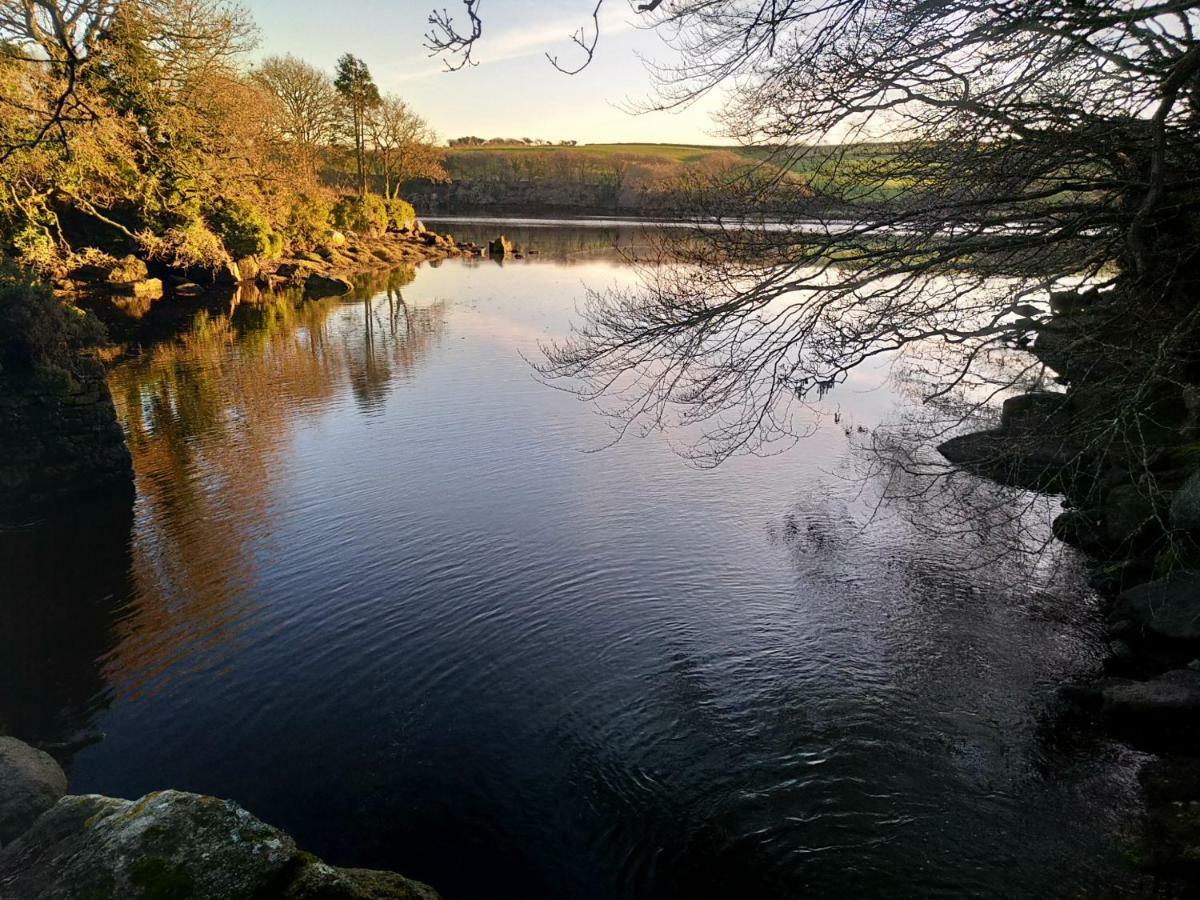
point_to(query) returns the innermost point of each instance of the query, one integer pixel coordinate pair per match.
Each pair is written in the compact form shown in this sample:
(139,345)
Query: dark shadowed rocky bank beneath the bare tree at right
(1121,443)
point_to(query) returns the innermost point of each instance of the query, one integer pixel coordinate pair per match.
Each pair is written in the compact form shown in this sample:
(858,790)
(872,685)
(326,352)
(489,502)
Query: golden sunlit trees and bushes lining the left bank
(149,134)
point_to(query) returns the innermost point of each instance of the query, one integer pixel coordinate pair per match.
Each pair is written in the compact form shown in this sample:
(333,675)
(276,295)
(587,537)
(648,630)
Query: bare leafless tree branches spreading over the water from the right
(1034,146)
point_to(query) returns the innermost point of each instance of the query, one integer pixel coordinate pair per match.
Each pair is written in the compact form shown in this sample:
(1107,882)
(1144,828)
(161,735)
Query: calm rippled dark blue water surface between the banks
(376,589)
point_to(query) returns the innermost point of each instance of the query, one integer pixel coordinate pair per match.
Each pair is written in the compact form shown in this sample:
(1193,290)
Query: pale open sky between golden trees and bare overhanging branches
(514,92)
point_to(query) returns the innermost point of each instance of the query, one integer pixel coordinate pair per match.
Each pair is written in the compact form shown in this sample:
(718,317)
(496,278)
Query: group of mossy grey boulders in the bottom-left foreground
(169,845)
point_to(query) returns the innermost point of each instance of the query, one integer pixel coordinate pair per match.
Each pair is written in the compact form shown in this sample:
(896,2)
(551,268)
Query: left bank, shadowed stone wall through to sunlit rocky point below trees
(61,434)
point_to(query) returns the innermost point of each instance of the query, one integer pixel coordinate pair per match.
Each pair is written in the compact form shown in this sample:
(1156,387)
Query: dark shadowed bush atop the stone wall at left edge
(37,329)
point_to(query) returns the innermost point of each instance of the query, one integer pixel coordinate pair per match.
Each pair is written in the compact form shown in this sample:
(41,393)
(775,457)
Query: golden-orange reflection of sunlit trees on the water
(212,419)
